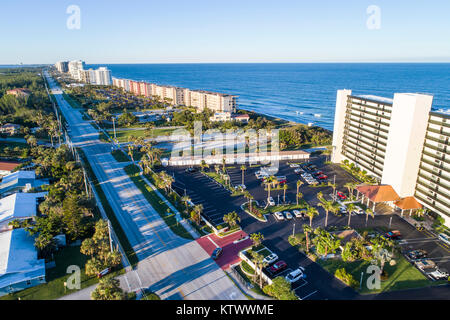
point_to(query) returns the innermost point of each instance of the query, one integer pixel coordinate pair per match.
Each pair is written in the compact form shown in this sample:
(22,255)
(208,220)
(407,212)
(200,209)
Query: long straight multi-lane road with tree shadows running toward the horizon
(172,267)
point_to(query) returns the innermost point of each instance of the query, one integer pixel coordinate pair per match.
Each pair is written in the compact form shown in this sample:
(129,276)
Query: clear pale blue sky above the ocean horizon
(224,31)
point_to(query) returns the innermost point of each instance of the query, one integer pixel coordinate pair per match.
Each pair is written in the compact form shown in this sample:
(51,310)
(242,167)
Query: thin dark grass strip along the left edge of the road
(129,252)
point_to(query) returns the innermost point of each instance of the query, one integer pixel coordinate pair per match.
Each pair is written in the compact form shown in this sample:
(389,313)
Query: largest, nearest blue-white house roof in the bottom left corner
(18,258)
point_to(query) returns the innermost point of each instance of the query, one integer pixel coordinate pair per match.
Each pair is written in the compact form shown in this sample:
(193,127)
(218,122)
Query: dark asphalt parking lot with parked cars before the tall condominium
(318,284)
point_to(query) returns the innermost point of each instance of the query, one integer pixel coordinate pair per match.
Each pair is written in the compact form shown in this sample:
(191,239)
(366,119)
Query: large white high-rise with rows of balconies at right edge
(393,140)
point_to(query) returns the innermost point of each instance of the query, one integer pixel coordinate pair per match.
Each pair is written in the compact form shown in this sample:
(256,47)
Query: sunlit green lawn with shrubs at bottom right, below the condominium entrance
(401,276)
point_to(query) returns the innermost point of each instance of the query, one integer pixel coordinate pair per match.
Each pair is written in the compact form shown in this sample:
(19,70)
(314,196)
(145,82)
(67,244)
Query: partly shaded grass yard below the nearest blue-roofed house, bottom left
(55,277)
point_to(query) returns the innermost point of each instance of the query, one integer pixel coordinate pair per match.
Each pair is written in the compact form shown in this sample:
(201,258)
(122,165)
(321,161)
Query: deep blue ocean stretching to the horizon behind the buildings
(299,92)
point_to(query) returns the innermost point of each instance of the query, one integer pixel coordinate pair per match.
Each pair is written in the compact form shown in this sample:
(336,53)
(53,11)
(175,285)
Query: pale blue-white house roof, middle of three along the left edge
(18,206)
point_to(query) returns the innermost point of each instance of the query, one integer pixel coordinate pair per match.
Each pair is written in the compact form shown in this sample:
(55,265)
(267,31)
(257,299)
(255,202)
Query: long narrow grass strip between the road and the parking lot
(157,203)
